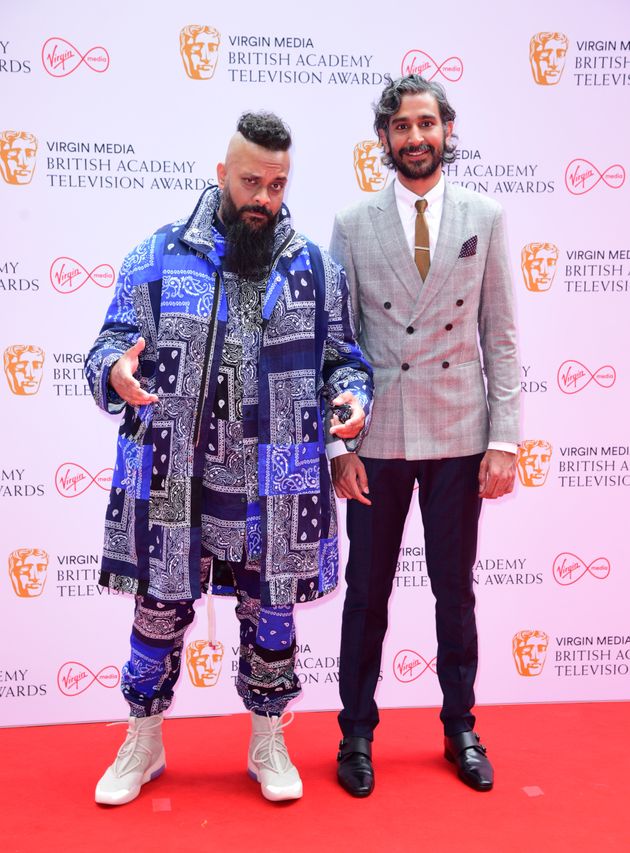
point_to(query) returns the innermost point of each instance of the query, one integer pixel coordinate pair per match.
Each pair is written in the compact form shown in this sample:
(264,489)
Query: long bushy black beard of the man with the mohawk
(249,248)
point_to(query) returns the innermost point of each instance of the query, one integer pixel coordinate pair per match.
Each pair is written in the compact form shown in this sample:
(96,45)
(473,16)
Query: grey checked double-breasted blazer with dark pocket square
(423,340)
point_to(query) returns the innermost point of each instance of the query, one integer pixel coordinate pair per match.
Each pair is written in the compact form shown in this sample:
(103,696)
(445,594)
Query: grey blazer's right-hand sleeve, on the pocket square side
(497,335)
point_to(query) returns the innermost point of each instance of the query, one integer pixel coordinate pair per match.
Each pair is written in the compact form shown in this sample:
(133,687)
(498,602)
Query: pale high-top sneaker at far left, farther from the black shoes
(140,759)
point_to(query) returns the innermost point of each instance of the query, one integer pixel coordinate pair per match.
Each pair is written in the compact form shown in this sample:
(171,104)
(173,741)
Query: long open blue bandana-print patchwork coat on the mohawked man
(170,292)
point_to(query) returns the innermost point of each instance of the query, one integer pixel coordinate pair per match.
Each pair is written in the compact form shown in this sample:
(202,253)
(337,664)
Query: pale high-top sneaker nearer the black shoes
(268,761)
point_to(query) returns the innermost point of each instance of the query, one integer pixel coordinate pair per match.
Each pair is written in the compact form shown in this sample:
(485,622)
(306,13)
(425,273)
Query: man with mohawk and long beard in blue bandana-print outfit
(227,346)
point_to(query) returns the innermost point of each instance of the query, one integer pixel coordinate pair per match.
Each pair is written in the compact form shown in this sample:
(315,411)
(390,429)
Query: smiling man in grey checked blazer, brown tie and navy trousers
(432,298)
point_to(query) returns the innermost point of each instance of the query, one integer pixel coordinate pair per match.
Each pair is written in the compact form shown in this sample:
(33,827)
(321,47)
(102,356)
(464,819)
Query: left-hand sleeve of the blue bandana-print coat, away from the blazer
(119,332)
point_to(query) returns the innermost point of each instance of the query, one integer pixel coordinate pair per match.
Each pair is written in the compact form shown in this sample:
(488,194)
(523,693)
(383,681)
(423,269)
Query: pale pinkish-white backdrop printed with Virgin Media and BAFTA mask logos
(113,138)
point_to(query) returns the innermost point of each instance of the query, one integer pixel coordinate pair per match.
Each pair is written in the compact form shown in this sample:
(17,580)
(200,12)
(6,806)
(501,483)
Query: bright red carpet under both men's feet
(561,785)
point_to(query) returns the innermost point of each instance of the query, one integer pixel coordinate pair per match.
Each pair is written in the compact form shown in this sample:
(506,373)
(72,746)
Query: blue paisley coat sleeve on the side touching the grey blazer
(344,367)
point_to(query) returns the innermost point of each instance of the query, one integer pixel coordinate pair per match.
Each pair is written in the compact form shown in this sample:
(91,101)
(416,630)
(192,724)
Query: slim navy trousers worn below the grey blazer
(450,506)
